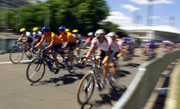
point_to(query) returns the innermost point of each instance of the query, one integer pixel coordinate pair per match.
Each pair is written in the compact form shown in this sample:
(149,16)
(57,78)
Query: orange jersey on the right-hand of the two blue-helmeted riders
(68,37)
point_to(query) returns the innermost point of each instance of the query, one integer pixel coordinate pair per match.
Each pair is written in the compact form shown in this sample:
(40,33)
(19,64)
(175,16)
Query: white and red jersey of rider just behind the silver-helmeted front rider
(115,45)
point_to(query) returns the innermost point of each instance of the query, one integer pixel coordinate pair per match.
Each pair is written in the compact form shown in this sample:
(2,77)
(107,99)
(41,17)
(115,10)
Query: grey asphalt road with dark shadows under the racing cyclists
(58,91)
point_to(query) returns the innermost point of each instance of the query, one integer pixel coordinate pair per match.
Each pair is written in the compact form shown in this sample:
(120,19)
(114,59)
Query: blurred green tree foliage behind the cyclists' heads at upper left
(84,15)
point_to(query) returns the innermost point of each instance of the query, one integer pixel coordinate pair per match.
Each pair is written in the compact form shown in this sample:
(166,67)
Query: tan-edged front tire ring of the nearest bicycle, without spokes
(91,82)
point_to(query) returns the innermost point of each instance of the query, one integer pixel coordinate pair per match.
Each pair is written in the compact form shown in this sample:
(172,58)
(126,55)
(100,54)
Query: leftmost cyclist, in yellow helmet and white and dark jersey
(26,37)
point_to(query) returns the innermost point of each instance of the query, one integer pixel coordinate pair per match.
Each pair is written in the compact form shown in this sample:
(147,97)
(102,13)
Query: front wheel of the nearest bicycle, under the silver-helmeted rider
(85,88)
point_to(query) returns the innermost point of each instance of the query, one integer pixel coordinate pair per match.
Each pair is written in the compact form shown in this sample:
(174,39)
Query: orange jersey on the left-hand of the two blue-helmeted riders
(52,36)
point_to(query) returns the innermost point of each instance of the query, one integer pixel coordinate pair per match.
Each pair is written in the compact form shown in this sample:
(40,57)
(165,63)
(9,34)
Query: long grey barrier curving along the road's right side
(144,82)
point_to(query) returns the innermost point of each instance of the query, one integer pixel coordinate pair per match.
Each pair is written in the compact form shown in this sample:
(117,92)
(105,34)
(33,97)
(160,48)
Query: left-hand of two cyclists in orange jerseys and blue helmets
(55,44)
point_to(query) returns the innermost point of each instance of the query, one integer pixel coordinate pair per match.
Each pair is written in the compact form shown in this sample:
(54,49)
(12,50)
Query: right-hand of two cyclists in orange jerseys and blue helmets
(70,42)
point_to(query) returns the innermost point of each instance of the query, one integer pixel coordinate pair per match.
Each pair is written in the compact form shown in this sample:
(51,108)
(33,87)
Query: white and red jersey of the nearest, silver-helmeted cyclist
(103,46)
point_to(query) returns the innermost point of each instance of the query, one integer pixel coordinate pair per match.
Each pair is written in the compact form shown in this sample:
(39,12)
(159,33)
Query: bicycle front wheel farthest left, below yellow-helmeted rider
(16,55)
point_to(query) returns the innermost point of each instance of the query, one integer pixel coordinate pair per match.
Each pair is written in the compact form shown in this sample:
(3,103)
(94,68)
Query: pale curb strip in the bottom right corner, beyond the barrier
(171,100)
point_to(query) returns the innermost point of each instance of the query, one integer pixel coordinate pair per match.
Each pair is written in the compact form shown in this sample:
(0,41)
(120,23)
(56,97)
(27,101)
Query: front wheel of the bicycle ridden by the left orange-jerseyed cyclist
(35,70)
